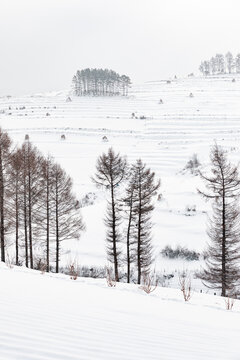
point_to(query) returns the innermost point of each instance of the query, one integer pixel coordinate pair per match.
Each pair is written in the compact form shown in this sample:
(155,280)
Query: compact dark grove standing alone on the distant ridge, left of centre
(100,82)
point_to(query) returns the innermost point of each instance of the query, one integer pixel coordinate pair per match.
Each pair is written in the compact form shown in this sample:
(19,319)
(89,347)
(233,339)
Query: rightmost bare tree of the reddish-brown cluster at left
(67,217)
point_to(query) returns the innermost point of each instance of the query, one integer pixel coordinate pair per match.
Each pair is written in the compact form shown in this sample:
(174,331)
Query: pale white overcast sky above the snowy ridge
(43,42)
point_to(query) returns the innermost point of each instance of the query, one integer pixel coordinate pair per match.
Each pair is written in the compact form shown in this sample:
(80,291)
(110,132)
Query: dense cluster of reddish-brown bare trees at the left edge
(37,206)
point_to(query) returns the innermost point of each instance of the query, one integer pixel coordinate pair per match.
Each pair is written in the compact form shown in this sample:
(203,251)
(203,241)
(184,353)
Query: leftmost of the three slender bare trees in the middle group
(110,172)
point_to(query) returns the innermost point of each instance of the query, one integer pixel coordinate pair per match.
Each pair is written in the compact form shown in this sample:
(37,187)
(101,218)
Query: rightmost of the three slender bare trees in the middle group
(145,189)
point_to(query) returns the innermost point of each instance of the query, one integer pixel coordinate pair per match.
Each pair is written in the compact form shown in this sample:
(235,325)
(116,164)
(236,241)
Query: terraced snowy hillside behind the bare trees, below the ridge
(171,133)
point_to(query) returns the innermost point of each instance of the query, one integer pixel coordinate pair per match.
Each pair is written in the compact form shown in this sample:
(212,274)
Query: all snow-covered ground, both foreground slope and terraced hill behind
(51,317)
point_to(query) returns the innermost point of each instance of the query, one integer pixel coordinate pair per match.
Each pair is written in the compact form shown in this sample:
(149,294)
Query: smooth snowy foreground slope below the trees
(46,317)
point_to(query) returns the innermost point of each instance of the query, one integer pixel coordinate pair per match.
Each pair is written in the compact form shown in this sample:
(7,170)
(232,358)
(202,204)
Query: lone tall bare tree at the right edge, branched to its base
(223,254)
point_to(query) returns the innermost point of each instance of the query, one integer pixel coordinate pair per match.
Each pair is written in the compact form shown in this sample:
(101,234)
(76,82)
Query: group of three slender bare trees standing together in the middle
(131,189)
